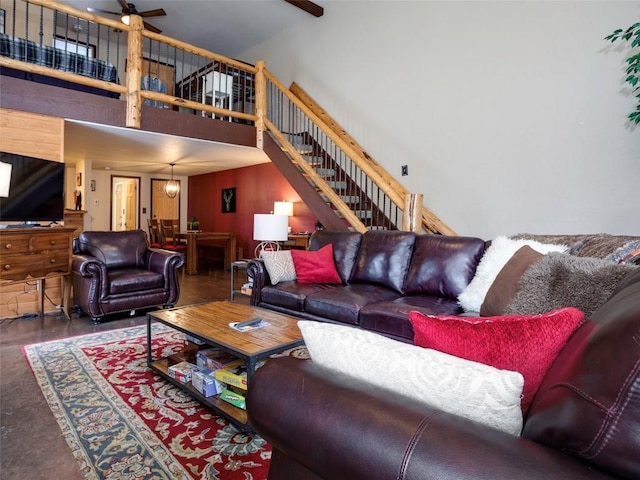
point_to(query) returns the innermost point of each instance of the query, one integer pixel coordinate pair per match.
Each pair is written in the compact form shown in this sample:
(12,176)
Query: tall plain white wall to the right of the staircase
(510,115)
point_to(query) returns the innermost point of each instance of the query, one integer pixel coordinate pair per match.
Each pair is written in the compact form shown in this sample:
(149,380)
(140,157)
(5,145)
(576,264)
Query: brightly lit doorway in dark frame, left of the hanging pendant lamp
(125,202)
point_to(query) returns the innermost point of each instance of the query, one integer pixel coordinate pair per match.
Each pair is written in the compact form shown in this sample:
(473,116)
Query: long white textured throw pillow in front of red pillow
(461,387)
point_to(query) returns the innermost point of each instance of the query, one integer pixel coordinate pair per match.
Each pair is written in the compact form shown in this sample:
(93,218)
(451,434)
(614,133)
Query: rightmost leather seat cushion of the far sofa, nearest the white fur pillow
(391,318)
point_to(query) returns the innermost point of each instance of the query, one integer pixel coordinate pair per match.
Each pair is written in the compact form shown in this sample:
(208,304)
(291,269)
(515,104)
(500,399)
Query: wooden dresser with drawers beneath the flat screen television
(35,255)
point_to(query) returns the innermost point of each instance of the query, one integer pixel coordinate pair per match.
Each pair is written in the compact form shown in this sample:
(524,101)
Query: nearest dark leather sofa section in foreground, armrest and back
(584,422)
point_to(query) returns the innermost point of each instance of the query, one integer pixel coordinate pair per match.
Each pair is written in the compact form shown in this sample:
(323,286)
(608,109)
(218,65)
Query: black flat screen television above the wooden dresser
(36,190)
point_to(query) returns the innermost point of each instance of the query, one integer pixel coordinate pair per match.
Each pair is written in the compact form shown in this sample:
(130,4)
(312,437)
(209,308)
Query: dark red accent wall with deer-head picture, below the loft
(257,188)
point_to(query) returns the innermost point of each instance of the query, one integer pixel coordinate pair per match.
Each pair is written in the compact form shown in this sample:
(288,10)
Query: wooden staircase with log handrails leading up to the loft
(344,187)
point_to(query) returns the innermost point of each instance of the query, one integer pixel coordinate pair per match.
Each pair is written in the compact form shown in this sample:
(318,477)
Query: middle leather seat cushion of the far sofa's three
(343,303)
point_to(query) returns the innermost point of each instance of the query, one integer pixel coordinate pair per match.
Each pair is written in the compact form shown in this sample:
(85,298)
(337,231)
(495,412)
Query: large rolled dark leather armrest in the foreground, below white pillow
(344,429)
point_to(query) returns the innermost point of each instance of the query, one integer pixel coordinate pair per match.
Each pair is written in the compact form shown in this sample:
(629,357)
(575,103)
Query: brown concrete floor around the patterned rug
(31,443)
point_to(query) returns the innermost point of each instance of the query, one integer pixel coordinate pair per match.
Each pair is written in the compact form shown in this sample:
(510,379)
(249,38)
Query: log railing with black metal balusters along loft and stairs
(195,62)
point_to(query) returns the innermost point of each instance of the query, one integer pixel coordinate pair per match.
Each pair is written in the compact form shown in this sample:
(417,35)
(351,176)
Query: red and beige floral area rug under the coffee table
(122,421)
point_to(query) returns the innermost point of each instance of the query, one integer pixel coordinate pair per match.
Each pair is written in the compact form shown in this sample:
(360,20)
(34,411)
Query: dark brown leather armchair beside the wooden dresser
(118,272)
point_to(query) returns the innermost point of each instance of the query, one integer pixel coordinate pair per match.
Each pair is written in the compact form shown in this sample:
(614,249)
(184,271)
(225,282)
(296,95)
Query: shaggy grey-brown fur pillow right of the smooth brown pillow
(559,280)
